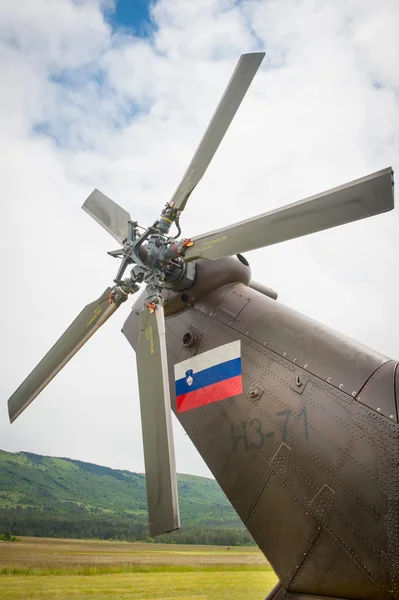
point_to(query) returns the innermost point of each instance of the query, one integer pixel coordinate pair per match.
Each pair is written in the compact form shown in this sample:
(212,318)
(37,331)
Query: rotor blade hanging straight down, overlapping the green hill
(156,422)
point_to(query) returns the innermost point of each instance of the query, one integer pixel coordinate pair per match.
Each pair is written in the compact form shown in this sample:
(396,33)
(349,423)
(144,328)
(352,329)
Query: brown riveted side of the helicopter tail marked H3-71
(335,441)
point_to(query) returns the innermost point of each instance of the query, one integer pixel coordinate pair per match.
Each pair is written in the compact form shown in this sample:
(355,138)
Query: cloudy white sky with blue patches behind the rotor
(116,95)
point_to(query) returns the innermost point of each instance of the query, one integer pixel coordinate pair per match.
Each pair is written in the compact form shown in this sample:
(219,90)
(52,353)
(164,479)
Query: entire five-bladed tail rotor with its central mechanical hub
(161,262)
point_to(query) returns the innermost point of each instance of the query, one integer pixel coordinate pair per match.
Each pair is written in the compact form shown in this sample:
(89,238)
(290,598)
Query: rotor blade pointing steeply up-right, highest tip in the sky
(237,88)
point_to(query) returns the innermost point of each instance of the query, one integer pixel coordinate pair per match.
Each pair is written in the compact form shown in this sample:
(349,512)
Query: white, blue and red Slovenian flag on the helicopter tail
(209,377)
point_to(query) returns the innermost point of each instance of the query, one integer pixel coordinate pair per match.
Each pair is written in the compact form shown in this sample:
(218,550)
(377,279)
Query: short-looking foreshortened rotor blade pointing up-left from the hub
(108,214)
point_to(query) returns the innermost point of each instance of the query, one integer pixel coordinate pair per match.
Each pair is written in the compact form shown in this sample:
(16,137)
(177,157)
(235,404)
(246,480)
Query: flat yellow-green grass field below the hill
(71,569)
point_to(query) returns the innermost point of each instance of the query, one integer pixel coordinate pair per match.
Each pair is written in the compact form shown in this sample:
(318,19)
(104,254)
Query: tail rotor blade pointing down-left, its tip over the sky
(89,320)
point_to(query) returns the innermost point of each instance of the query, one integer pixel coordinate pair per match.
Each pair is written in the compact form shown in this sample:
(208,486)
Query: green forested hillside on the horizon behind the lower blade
(60,497)
